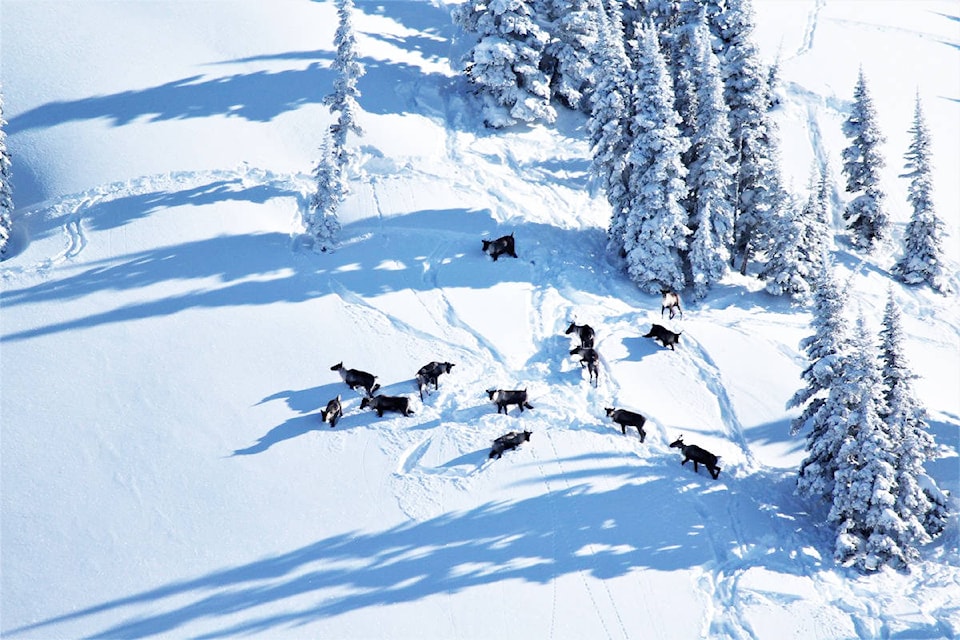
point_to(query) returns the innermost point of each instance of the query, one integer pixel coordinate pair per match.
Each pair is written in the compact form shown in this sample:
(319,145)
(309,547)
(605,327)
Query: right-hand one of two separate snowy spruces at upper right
(922,260)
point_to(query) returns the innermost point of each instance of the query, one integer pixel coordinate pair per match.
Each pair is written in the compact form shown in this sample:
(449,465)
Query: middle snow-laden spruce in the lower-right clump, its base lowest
(870,532)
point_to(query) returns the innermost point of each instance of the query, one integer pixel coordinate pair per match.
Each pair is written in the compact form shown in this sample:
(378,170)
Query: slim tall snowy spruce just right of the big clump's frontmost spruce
(710,174)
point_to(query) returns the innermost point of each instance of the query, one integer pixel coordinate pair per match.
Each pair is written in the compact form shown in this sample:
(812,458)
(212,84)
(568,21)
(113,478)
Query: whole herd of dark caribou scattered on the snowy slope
(427,378)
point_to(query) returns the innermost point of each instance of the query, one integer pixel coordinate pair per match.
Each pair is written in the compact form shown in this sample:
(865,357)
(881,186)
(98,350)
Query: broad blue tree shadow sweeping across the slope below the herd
(721,526)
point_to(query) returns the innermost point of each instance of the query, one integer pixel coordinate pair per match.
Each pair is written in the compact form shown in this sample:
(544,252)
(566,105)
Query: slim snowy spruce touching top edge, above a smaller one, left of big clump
(348,70)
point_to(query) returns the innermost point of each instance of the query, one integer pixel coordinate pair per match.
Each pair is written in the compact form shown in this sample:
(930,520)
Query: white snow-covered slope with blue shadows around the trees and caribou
(165,347)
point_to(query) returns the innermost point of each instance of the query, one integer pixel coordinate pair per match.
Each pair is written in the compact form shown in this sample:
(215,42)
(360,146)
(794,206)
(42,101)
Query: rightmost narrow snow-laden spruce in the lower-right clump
(920,504)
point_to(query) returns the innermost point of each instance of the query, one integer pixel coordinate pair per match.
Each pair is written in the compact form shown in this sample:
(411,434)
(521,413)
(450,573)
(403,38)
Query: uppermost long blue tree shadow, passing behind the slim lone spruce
(261,95)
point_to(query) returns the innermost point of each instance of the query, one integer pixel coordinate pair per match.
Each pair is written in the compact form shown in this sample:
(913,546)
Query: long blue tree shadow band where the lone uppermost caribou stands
(419,251)
